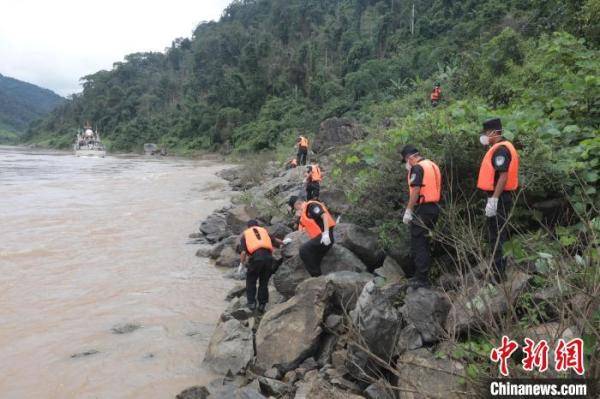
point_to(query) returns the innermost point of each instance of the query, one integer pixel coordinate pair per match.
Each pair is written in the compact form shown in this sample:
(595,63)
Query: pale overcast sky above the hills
(52,43)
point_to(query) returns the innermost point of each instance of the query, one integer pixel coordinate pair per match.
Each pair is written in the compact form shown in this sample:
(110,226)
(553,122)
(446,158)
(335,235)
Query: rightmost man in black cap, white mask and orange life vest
(498,177)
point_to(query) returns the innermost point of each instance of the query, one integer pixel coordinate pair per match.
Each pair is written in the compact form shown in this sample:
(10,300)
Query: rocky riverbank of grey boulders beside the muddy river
(354,332)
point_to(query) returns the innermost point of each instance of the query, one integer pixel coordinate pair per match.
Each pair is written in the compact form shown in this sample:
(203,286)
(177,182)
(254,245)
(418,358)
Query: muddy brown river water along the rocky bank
(90,244)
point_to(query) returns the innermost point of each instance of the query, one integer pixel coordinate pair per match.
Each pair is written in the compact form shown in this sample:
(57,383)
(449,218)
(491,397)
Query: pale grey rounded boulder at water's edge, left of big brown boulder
(230,348)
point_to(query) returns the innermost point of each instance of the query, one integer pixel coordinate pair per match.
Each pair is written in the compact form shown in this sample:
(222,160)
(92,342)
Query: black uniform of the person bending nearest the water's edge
(259,268)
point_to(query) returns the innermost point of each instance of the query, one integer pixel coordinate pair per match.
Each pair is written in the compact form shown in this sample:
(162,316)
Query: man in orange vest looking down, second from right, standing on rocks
(422,212)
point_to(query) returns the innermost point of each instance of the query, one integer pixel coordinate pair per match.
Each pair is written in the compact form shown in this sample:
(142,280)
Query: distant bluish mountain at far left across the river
(22,102)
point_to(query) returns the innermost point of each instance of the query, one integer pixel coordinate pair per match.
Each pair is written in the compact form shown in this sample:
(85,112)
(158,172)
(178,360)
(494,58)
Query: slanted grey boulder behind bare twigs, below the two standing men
(478,305)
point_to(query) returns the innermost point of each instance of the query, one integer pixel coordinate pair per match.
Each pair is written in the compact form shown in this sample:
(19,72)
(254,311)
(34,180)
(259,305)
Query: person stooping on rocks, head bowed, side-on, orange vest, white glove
(318,224)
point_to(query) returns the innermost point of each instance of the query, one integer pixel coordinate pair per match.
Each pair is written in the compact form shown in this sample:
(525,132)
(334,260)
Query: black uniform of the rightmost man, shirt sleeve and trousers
(497,226)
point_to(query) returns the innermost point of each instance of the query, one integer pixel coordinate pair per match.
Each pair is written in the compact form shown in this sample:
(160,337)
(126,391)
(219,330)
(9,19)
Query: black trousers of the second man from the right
(425,218)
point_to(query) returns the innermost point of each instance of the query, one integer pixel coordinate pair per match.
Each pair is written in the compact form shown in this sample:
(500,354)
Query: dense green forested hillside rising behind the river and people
(271,68)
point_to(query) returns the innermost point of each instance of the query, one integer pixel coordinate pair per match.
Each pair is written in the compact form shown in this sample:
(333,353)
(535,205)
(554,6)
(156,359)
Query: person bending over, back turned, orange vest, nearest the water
(257,253)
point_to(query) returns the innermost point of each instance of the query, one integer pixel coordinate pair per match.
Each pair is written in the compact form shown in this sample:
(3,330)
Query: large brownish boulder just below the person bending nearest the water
(290,332)
